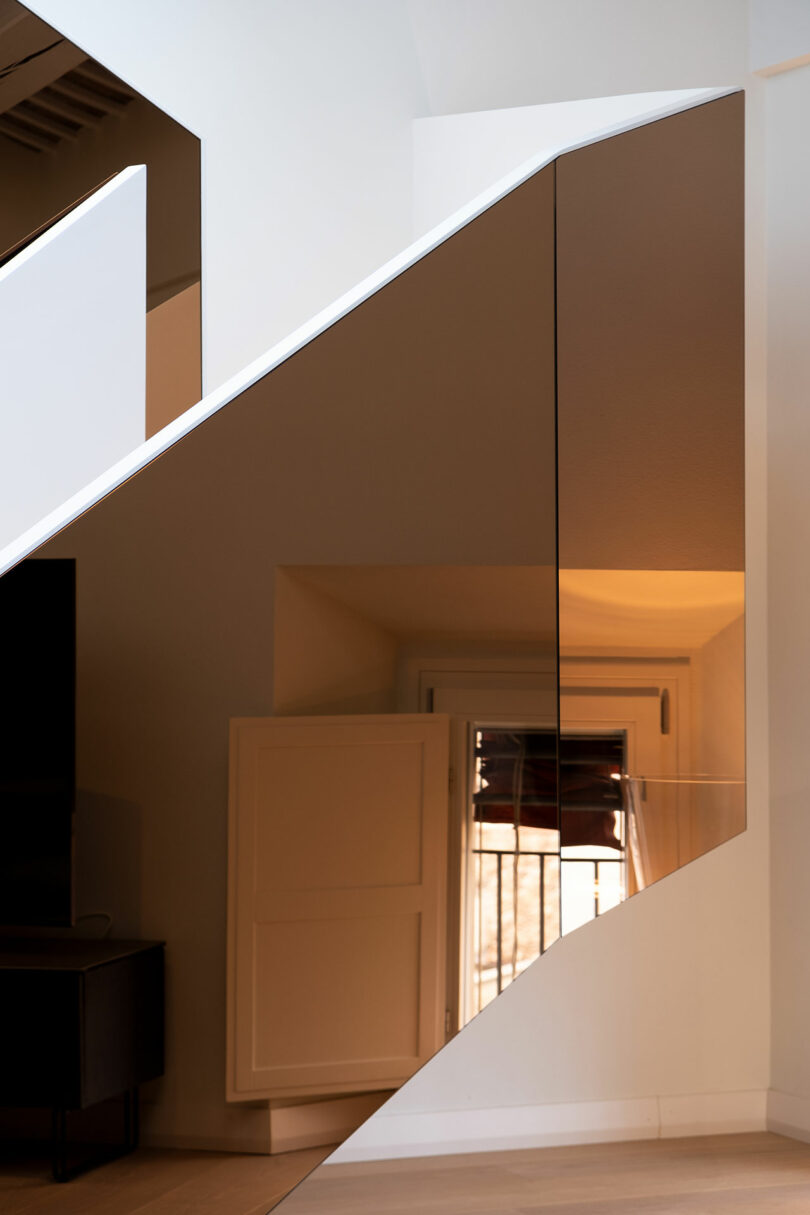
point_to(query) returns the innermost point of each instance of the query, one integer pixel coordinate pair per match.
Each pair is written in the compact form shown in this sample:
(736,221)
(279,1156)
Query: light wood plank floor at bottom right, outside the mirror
(715,1176)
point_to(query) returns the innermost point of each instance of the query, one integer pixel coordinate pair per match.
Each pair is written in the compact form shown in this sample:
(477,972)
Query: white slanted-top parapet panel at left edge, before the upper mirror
(72,349)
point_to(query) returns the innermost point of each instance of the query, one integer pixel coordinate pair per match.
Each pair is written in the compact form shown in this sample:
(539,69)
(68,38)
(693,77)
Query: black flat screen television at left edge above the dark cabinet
(37,743)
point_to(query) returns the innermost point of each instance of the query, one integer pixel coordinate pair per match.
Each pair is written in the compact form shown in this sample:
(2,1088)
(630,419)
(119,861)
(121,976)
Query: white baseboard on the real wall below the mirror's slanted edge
(448,1133)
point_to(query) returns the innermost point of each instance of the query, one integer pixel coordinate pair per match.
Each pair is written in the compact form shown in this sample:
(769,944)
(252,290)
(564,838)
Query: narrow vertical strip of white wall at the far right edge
(789,438)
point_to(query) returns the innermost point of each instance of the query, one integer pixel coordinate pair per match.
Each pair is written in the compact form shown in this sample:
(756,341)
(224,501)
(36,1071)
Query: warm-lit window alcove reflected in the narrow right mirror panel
(659,657)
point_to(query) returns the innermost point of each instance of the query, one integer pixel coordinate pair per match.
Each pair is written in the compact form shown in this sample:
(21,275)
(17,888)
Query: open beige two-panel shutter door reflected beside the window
(337,902)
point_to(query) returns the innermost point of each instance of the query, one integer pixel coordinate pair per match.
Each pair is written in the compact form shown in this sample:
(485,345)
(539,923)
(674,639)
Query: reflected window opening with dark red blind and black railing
(539,868)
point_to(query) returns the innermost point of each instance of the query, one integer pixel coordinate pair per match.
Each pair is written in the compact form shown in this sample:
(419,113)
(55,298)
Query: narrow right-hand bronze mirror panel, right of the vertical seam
(650,324)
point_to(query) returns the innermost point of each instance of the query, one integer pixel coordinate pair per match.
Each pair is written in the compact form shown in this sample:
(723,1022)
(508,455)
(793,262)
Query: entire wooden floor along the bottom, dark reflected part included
(738,1174)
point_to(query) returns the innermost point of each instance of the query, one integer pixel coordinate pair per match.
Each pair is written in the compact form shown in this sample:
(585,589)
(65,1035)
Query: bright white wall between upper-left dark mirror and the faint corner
(305,109)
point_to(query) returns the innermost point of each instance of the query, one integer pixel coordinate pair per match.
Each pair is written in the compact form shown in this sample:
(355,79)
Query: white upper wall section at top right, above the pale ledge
(479,55)
